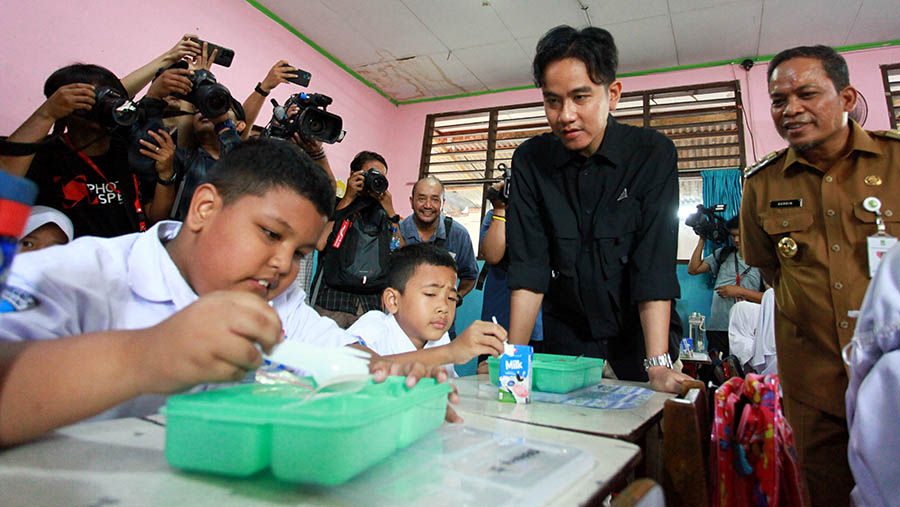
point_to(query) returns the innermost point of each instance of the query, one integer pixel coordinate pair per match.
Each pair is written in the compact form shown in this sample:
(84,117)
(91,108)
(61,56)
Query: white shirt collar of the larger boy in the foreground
(152,274)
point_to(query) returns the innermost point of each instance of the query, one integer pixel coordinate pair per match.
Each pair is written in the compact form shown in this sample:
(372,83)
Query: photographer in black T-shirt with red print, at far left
(84,170)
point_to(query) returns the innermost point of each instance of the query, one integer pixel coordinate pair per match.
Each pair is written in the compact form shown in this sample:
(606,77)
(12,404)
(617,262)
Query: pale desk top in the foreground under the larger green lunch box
(121,462)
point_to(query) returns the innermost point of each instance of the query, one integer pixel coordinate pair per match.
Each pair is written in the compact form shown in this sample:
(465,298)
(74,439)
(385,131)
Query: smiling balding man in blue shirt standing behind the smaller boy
(427,225)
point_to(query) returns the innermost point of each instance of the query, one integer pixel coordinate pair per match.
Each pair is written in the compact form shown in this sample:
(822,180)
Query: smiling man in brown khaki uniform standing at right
(804,224)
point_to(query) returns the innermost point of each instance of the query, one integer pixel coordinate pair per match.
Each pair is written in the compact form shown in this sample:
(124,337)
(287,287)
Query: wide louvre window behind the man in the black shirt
(464,149)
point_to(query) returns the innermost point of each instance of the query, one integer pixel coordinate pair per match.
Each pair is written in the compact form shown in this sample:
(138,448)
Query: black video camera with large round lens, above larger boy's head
(312,121)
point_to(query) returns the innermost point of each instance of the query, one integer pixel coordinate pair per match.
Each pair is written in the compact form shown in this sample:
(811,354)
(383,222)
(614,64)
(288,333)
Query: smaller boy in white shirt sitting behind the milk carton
(420,304)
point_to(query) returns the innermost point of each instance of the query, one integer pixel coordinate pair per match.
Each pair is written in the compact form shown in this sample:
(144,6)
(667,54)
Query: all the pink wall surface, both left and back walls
(43,35)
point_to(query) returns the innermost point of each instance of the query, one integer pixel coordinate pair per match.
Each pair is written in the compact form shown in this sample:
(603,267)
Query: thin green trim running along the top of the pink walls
(766,58)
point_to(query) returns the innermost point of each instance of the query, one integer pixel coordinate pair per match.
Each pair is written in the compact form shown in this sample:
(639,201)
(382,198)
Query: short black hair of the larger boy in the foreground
(263,163)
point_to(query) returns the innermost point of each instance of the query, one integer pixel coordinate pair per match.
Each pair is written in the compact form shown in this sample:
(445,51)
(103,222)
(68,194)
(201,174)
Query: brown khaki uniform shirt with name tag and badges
(828,275)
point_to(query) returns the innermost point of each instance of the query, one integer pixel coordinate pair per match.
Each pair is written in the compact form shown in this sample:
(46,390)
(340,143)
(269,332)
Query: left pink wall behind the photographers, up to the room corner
(44,35)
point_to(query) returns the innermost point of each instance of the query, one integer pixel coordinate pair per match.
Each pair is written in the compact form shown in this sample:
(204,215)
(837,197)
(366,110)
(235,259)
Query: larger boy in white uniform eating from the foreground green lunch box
(179,305)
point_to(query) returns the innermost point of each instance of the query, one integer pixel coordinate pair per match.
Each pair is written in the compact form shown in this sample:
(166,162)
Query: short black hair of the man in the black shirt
(594,46)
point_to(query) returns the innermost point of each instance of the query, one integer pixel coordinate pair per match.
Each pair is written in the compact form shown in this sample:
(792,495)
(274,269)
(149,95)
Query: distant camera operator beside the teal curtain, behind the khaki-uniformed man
(735,281)
